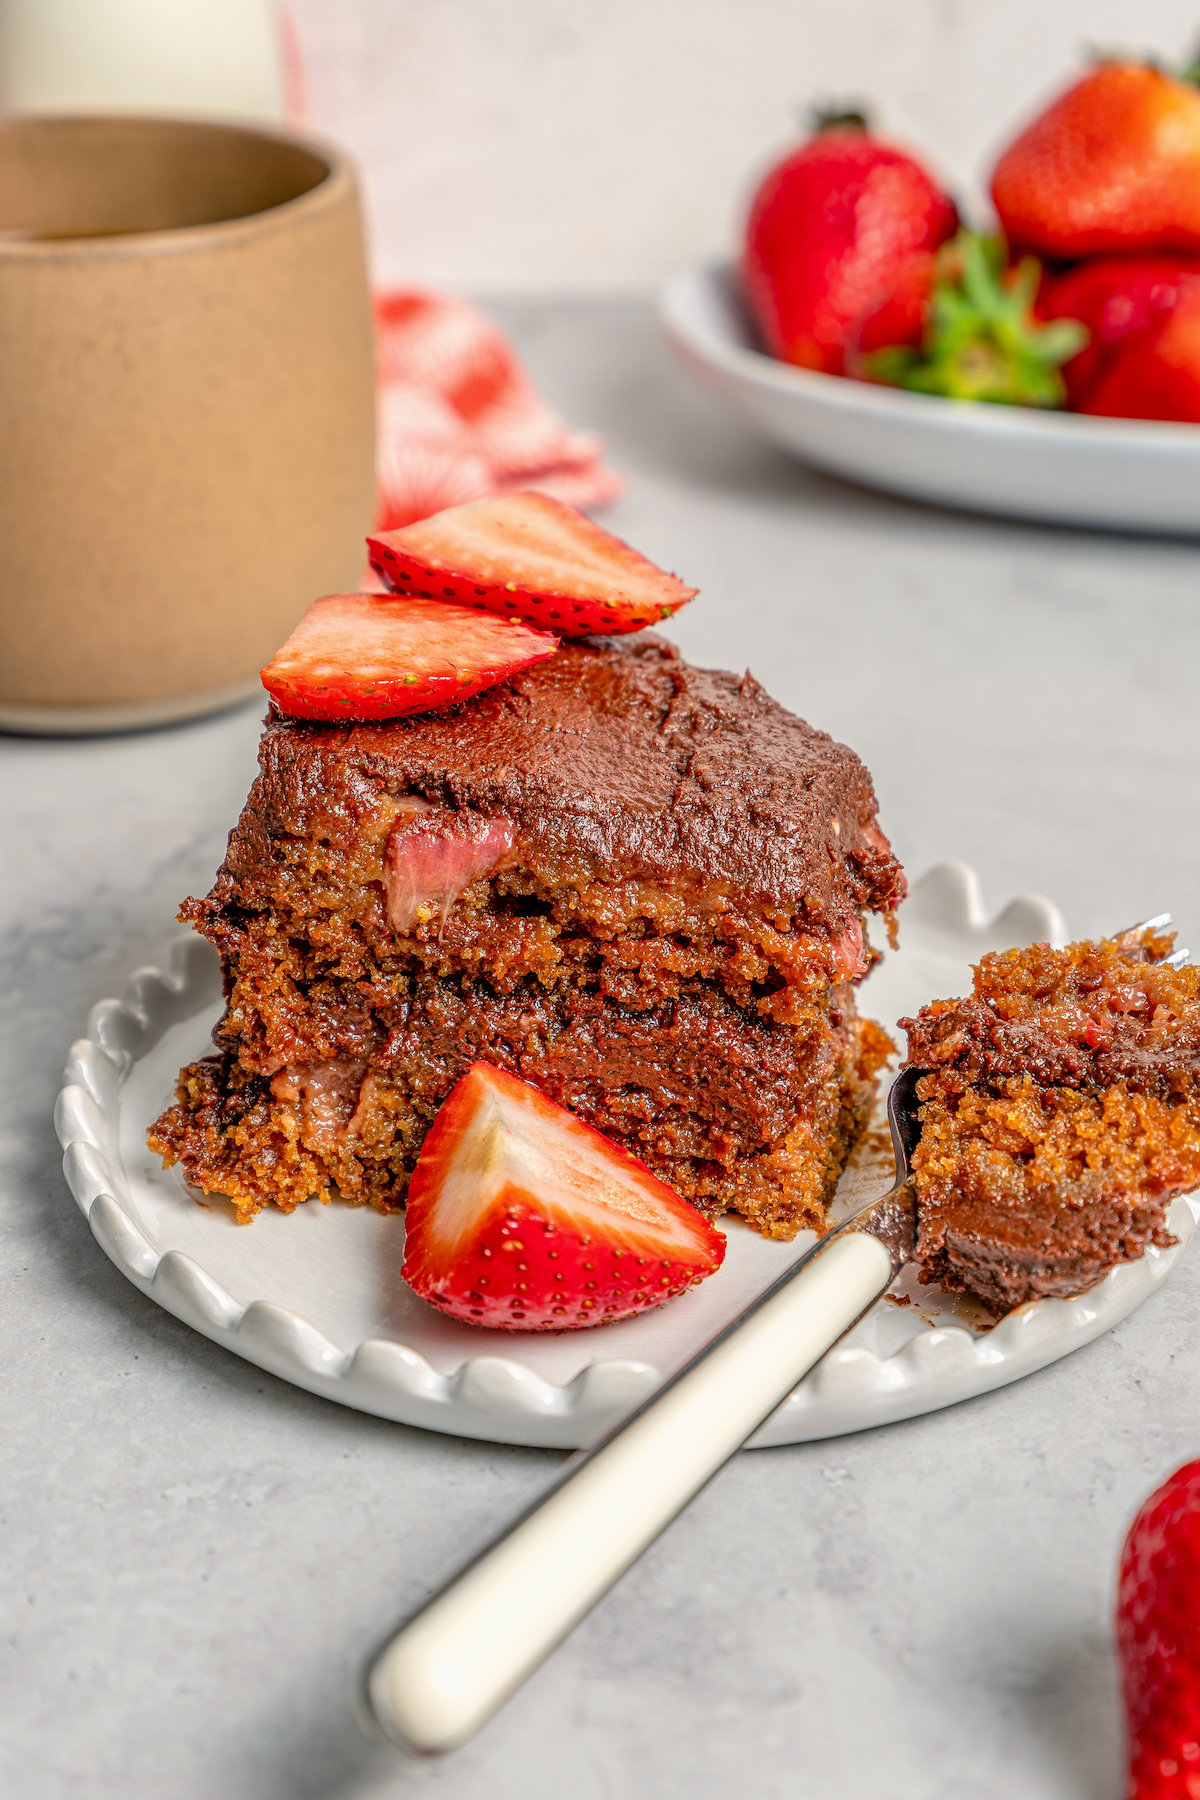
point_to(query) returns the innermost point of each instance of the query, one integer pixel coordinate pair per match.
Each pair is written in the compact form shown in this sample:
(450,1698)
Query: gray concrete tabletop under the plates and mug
(197,1556)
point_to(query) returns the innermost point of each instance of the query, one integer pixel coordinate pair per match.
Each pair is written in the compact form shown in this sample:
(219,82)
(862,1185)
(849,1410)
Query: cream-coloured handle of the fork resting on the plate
(460,1659)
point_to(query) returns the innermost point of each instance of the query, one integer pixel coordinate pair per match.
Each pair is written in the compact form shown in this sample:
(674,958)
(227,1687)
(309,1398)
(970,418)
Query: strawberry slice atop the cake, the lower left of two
(372,656)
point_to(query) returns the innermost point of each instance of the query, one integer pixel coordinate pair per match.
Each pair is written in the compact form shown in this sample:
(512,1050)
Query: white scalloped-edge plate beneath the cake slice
(318,1297)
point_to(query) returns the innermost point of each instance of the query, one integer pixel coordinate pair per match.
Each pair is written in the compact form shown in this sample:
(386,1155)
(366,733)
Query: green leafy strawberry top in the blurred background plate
(981,339)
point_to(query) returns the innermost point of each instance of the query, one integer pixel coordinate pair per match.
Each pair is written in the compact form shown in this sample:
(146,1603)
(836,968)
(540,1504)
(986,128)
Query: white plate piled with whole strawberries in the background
(1046,364)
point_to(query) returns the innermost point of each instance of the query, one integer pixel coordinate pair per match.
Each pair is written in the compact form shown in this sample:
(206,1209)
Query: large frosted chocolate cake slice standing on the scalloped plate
(636,885)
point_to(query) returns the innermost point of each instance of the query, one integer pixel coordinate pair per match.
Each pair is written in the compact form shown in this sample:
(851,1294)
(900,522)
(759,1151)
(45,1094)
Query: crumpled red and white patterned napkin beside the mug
(461,420)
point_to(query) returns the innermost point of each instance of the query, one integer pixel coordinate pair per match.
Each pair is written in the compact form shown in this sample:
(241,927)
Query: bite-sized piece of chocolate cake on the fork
(1061,1115)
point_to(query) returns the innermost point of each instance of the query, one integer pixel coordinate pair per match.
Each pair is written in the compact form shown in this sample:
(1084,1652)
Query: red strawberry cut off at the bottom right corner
(1160,1641)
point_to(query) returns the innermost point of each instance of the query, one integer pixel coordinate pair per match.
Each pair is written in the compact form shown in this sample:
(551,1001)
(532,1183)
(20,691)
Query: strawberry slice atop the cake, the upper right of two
(528,557)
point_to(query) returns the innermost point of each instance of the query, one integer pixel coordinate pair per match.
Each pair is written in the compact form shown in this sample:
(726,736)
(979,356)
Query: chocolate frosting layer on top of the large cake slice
(620,760)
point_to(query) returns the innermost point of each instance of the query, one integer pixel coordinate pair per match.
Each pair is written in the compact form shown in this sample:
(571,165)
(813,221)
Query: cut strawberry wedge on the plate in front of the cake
(523,1218)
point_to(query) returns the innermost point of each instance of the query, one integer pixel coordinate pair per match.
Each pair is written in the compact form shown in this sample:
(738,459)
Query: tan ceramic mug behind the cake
(186,411)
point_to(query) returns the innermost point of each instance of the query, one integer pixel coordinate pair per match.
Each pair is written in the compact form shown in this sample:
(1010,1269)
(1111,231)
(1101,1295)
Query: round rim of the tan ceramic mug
(328,190)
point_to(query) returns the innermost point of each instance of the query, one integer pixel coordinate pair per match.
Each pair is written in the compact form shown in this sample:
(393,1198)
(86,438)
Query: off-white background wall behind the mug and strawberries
(557,145)
